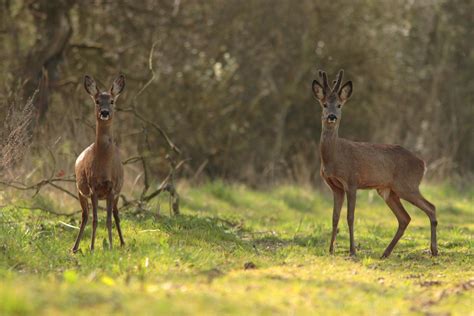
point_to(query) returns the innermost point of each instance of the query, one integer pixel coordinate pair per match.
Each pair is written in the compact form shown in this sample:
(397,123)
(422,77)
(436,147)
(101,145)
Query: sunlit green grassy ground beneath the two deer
(239,251)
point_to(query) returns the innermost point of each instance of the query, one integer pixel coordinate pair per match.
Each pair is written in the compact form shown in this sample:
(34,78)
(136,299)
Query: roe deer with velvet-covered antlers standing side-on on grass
(347,166)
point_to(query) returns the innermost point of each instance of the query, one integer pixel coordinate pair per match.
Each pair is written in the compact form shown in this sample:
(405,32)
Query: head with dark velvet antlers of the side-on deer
(332,100)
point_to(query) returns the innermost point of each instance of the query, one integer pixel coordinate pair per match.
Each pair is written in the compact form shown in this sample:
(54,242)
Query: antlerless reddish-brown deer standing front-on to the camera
(99,170)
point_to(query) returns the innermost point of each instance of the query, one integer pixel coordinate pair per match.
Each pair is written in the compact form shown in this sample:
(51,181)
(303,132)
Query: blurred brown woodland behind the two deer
(230,83)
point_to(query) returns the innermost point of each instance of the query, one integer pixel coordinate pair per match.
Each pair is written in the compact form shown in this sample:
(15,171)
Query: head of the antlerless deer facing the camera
(104,101)
